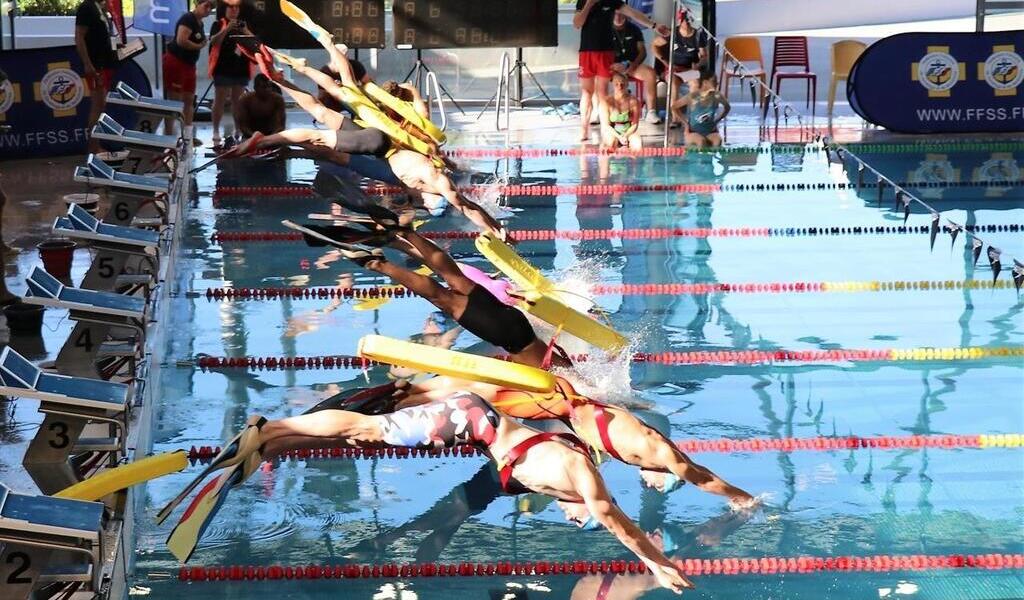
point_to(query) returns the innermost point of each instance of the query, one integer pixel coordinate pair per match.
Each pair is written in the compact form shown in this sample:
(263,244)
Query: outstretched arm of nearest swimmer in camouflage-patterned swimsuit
(591,488)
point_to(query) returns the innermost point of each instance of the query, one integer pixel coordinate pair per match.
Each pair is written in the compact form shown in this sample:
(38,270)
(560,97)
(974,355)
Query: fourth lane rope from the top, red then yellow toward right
(396,292)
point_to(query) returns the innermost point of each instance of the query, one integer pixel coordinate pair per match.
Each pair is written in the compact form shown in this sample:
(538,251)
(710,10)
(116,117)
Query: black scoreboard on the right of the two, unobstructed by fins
(476,24)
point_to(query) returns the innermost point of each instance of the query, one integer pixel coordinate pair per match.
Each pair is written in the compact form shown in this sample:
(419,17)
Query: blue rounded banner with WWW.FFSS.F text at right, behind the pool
(942,83)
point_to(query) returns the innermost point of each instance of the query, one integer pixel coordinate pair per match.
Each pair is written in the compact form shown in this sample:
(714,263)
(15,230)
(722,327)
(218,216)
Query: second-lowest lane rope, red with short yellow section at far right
(723,446)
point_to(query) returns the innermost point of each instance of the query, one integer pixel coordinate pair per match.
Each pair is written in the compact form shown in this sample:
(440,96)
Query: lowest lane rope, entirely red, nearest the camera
(691,567)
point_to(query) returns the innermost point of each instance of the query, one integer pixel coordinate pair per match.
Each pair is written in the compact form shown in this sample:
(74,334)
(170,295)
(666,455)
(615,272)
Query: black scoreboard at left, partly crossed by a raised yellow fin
(358,24)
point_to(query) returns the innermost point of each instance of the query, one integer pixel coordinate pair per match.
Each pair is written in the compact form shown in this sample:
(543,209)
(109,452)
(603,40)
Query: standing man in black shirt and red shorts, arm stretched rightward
(598,50)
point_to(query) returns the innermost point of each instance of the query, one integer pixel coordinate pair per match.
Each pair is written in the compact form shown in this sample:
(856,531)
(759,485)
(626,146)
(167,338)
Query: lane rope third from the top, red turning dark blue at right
(647,234)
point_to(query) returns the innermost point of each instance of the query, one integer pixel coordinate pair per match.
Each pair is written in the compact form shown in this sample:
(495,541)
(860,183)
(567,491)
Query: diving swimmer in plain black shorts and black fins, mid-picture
(470,305)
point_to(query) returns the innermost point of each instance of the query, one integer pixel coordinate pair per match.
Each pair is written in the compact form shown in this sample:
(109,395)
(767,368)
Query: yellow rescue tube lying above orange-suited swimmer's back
(452,363)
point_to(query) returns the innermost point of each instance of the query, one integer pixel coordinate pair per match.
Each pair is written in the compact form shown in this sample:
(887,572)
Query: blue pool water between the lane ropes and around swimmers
(865,502)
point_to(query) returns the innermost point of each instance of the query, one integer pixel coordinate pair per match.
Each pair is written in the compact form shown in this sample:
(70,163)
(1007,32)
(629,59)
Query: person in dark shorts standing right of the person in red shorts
(229,68)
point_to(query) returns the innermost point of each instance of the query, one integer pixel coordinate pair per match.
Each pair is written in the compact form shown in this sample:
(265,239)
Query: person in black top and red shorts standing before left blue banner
(96,40)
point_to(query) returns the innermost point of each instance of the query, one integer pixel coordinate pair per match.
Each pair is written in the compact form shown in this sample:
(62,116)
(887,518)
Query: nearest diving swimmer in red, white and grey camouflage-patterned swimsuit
(553,464)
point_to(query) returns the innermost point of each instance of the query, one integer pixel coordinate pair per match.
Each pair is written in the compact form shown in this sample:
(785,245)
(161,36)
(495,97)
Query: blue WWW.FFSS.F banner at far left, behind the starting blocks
(47,104)
